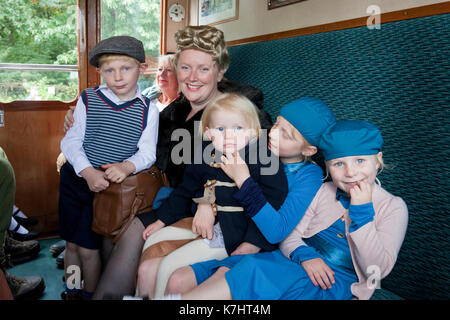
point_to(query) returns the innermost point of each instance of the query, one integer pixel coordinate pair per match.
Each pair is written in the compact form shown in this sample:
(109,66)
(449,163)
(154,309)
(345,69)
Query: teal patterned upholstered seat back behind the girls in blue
(397,78)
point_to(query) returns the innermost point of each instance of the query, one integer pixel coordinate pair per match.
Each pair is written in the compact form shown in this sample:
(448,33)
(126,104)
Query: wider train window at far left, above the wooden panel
(38,50)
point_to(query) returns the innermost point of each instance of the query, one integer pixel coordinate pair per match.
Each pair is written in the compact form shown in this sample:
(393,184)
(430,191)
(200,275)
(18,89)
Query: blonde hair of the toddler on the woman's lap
(232,102)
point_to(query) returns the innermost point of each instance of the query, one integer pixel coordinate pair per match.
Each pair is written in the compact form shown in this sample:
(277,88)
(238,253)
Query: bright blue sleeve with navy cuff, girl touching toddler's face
(277,225)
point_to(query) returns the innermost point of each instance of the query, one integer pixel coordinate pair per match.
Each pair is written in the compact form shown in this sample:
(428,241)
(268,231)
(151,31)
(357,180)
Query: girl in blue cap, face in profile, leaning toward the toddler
(294,139)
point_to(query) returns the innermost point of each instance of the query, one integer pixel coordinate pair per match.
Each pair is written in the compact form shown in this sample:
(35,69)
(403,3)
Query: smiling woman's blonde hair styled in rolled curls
(204,38)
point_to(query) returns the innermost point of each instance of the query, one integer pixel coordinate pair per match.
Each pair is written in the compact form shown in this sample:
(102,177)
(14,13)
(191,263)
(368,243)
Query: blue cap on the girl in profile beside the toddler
(310,116)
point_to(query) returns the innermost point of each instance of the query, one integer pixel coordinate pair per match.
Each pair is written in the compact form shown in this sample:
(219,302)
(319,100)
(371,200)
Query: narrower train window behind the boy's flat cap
(137,18)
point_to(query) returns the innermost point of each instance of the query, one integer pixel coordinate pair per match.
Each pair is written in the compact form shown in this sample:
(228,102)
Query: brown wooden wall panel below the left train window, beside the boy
(31,141)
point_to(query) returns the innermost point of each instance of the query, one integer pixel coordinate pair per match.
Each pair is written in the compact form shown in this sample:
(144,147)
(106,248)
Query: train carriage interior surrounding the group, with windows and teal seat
(386,62)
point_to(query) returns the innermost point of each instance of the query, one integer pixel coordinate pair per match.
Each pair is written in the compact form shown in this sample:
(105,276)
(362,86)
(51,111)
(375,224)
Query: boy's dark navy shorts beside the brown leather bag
(76,210)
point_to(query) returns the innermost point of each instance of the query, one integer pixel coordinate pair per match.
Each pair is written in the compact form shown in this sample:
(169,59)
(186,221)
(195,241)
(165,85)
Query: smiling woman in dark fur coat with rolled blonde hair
(201,61)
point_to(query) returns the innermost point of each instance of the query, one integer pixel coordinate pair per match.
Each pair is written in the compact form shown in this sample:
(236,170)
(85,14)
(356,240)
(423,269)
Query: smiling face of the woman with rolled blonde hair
(198,76)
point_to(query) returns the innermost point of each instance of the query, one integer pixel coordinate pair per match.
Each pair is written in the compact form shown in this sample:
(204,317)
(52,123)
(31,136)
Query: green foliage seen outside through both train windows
(44,32)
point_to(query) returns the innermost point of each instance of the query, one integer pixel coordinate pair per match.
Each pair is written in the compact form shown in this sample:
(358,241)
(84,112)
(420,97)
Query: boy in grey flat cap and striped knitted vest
(114,135)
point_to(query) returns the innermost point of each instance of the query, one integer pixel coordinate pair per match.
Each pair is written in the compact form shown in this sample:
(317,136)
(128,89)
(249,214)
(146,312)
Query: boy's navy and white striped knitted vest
(112,131)
